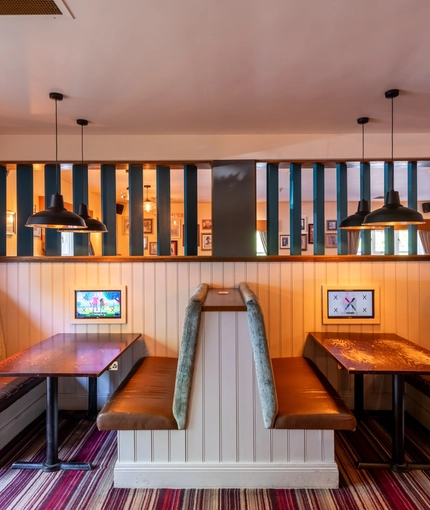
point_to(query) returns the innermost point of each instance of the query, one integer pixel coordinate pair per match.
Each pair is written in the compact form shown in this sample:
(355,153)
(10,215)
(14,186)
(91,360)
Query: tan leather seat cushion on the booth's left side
(144,399)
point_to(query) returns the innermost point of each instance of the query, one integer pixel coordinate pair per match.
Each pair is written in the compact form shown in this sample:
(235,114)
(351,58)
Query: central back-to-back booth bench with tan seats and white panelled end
(223,414)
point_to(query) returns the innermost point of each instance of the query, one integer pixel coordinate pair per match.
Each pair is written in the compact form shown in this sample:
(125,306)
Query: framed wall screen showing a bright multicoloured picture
(98,305)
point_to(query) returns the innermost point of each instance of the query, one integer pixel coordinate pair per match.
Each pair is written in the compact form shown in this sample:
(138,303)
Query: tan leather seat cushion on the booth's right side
(306,400)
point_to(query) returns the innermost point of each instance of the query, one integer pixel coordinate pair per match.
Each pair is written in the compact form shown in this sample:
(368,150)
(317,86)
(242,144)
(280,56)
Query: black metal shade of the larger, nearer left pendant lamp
(56,216)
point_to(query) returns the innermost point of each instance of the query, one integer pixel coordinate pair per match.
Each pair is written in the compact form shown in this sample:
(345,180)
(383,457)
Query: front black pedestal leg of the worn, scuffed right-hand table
(398,463)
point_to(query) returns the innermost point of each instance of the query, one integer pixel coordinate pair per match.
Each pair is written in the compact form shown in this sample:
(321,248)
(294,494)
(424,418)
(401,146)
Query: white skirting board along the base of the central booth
(225,476)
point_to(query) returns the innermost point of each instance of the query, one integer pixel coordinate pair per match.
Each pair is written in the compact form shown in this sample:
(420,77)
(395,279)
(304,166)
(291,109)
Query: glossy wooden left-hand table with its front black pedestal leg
(64,355)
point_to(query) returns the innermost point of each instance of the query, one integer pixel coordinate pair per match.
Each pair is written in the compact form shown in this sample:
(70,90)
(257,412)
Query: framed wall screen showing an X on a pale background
(350,304)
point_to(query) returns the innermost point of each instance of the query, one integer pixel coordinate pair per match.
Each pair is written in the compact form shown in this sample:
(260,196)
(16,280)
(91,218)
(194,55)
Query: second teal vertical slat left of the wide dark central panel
(163,210)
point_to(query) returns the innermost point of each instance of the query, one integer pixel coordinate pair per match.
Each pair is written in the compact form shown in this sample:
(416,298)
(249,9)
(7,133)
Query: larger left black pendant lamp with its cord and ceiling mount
(56,215)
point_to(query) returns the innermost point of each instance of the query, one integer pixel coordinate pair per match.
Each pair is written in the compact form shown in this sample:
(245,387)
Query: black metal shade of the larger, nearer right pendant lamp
(393,213)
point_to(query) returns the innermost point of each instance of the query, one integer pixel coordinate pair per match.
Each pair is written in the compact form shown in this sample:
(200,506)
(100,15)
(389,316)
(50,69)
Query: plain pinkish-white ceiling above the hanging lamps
(218,67)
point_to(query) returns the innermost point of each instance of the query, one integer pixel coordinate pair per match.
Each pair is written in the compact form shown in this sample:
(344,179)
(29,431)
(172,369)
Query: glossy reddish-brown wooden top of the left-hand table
(69,354)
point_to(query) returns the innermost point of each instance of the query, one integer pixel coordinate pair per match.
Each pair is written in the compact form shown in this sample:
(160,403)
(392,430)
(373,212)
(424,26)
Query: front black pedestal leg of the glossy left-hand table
(52,463)
